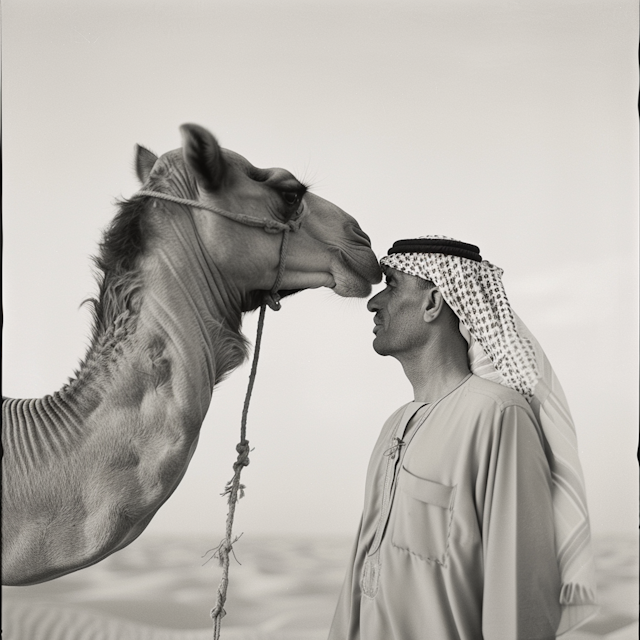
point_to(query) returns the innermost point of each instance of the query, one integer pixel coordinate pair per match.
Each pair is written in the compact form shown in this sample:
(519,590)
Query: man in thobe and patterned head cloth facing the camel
(475,523)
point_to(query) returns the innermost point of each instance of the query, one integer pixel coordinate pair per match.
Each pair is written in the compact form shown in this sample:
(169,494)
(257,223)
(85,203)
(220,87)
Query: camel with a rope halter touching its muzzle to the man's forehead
(86,468)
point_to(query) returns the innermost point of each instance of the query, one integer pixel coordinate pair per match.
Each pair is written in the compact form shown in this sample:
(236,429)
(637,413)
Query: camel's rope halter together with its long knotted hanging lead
(233,488)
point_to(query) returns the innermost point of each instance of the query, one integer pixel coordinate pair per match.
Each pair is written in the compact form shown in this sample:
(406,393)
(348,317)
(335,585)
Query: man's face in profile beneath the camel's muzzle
(399,324)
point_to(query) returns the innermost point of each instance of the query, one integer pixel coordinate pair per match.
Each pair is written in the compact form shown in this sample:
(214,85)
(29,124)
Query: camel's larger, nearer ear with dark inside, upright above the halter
(203,155)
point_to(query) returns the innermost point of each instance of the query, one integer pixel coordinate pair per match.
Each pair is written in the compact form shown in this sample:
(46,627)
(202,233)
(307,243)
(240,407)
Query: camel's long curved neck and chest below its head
(91,464)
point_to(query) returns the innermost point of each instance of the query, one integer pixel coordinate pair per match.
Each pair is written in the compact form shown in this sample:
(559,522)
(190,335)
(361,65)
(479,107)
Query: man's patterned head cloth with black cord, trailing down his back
(503,350)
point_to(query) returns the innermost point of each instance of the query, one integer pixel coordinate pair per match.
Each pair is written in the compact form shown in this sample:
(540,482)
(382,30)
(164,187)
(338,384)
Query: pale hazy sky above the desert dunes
(511,124)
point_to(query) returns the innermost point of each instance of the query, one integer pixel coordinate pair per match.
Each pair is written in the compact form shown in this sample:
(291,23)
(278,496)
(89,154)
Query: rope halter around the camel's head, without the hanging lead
(268,224)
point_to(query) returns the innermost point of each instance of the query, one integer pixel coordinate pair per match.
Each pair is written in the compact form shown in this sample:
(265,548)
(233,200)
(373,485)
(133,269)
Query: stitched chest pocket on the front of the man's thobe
(422,516)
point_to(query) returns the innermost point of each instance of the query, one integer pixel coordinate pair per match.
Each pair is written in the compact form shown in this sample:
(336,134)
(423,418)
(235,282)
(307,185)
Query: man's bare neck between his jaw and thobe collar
(437,369)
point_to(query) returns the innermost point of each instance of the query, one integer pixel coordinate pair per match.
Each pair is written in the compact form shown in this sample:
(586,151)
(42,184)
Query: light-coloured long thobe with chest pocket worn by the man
(456,540)
